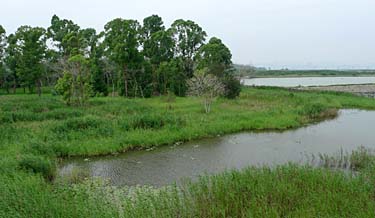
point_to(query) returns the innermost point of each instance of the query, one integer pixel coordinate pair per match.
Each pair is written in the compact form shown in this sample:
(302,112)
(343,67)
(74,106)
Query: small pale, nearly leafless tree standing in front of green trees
(206,86)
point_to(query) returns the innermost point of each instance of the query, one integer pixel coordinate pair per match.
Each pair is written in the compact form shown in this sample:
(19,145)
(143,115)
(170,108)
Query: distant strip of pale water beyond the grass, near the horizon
(308,81)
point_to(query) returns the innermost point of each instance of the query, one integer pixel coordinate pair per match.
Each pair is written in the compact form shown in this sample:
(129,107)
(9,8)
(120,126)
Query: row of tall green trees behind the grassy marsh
(127,58)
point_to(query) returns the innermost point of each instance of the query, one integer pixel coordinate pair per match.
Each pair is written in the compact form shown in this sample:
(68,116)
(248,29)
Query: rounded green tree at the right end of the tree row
(216,57)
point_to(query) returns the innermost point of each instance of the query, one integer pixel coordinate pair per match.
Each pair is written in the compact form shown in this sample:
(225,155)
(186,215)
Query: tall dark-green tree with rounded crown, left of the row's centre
(122,42)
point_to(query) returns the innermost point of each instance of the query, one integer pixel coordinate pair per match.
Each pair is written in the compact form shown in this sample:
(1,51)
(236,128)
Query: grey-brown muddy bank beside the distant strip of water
(367,90)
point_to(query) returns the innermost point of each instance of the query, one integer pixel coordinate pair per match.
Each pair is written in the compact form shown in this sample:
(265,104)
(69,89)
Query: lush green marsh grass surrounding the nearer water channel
(36,132)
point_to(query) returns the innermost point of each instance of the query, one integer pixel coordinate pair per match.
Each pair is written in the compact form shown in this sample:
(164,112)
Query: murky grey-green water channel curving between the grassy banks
(353,128)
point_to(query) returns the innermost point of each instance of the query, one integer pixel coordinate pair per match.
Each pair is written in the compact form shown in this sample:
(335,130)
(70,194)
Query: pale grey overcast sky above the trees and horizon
(271,33)
